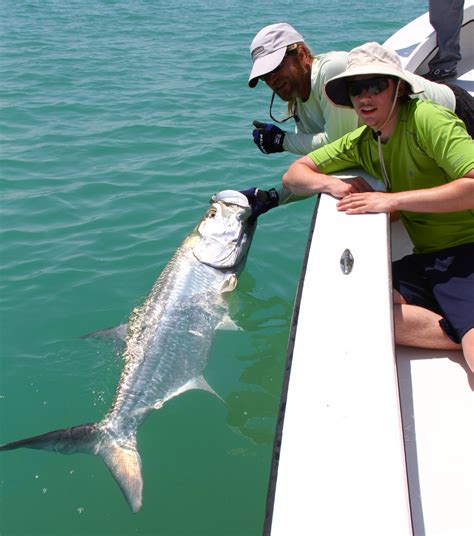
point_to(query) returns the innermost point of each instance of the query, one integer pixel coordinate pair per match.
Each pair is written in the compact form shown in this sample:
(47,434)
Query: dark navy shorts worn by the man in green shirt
(442,282)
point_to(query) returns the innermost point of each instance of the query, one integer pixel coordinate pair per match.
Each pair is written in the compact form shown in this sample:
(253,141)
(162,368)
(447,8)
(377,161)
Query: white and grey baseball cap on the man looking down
(268,48)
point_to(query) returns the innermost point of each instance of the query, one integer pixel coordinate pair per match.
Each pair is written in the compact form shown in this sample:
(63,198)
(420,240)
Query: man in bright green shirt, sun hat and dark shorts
(425,156)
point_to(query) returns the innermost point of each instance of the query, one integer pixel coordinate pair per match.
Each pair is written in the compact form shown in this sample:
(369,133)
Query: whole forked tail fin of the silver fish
(123,461)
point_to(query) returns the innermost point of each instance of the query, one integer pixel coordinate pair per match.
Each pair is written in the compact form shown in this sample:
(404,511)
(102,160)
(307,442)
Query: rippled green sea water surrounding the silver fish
(118,121)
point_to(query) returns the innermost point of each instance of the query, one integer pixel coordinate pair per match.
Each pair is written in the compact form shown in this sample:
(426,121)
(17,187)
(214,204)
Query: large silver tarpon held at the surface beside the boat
(167,341)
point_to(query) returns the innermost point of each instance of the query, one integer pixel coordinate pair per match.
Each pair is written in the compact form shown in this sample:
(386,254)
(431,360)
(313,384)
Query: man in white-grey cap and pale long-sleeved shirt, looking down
(284,62)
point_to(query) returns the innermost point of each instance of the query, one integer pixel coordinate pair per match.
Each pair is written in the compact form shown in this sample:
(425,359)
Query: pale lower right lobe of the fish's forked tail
(125,465)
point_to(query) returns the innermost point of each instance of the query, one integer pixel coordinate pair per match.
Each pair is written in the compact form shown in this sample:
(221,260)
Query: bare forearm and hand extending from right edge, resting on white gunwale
(455,196)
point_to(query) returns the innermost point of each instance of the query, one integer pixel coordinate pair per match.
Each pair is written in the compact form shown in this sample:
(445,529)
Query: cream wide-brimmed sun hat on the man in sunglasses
(370,58)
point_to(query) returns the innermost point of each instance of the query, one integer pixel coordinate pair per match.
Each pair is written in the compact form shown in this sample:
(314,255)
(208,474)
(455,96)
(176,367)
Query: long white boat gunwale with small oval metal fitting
(342,462)
